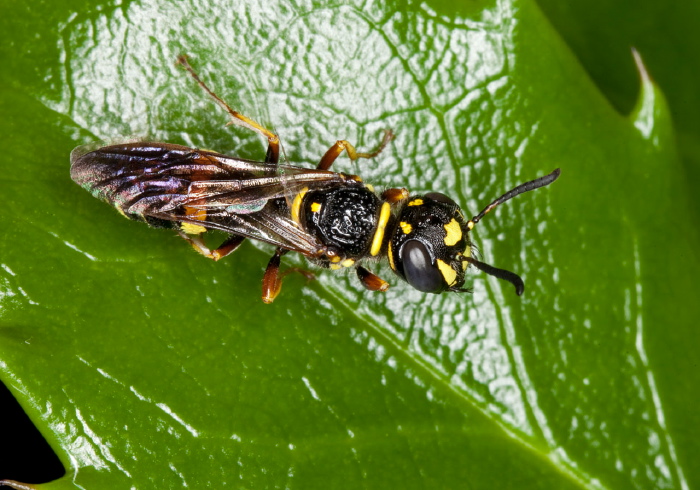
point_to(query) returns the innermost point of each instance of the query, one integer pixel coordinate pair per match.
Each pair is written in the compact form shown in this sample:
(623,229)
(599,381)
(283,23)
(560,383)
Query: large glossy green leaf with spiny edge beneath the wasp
(146,365)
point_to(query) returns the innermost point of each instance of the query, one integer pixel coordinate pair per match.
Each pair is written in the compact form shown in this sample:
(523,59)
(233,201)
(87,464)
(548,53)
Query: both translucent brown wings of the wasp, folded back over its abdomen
(174,183)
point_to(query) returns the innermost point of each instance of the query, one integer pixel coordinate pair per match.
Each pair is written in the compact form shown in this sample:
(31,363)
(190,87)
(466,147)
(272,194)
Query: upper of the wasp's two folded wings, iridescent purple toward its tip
(136,176)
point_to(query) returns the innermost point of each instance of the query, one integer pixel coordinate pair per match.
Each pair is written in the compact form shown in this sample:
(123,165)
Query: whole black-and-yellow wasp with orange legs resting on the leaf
(333,219)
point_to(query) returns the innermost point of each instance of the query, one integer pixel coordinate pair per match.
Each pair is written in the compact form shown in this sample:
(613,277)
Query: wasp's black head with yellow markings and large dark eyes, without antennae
(428,243)
